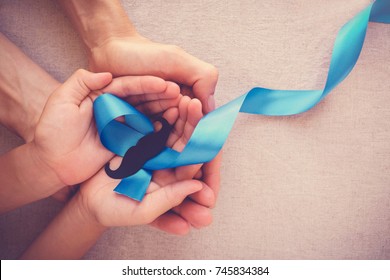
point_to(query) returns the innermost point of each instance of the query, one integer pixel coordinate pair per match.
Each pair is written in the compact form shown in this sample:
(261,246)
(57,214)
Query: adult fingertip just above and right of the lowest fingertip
(197,215)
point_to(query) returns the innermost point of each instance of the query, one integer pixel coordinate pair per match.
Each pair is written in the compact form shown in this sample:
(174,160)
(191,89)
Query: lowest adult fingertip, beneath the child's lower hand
(172,223)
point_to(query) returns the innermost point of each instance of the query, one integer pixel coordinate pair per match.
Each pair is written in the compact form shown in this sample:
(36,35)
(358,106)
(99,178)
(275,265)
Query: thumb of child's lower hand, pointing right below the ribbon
(162,200)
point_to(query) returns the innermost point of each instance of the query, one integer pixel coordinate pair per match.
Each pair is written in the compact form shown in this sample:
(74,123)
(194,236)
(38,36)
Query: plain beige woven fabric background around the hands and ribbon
(313,186)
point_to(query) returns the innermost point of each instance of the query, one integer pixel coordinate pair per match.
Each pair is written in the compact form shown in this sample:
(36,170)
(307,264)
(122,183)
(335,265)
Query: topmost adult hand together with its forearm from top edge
(113,45)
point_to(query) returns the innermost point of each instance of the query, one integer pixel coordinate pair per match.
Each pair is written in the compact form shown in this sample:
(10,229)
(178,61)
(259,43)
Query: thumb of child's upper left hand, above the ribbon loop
(80,84)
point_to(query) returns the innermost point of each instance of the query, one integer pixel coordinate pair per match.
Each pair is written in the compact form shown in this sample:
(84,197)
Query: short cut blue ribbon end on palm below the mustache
(135,186)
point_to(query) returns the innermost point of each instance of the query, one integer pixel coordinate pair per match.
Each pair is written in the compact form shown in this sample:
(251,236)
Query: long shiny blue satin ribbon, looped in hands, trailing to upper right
(213,129)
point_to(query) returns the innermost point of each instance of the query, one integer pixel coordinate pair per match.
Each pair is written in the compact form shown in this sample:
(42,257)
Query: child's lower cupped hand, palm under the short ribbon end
(168,187)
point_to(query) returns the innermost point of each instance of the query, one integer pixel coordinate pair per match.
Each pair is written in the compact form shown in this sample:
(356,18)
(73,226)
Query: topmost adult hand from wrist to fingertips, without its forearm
(136,55)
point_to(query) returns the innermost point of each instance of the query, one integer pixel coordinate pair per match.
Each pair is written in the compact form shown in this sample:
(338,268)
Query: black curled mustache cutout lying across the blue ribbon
(146,148)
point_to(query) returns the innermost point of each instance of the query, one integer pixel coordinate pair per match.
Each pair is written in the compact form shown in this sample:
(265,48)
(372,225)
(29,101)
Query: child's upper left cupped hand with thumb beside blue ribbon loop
(66,138)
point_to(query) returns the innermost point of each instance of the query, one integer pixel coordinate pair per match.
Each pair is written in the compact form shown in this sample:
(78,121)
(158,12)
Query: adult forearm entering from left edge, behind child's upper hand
(24,88)
